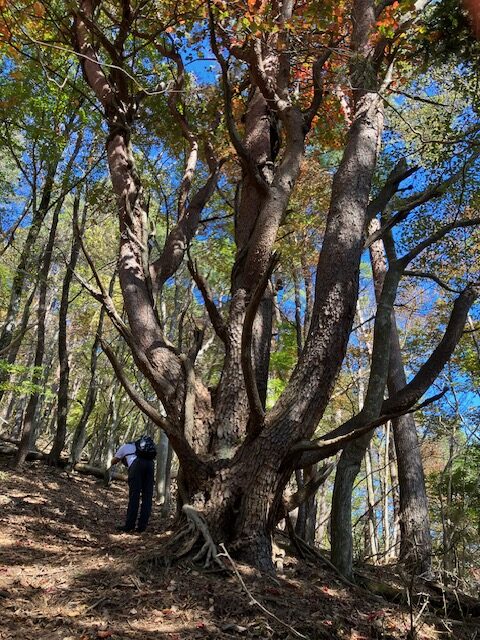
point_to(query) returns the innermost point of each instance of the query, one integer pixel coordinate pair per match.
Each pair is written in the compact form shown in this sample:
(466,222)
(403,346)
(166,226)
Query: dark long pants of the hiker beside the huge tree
(140,483)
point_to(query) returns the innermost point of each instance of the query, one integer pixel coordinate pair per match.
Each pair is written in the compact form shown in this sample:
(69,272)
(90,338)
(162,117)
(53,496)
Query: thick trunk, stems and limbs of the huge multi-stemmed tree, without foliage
(237,482)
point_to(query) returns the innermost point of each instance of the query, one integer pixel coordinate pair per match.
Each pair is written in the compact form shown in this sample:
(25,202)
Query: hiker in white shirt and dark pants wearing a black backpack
(139,457)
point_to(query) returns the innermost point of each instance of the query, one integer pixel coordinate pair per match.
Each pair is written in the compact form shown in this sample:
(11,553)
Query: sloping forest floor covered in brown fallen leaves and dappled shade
(66,575)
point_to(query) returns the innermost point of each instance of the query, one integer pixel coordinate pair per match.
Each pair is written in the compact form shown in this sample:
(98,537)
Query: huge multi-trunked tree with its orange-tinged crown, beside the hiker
(235,456)
